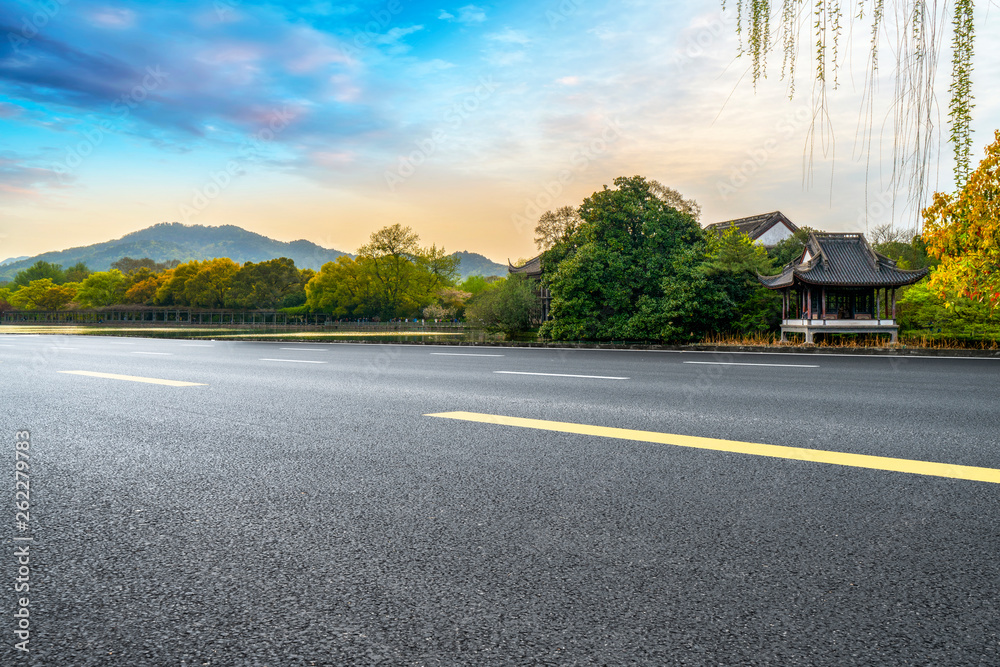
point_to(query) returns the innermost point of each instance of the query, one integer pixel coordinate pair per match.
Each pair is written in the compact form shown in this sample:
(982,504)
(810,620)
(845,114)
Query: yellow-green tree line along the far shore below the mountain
(391,277)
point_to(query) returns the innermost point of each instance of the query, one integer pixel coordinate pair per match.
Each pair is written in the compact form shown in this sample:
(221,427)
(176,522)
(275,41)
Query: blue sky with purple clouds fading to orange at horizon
(329,120)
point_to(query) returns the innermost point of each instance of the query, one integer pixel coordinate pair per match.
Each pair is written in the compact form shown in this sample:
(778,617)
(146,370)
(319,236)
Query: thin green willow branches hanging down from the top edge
(918,31)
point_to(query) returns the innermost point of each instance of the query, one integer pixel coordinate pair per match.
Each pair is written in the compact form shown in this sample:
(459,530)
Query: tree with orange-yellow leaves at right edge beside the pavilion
(963,231)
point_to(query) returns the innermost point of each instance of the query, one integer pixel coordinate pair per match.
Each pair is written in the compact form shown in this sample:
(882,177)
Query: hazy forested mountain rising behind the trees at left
(172,240)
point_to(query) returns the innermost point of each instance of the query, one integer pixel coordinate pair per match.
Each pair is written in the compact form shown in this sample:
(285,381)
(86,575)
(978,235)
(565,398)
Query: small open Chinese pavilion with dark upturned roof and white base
(840,285)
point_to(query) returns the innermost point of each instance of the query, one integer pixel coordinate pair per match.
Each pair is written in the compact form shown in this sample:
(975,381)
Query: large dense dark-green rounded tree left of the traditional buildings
(617,259)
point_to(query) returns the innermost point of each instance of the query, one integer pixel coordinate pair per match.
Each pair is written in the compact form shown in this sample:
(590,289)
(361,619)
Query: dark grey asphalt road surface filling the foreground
(284,512)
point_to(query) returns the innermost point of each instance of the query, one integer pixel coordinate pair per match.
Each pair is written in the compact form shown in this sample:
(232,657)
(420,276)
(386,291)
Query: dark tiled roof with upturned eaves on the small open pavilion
(842,260)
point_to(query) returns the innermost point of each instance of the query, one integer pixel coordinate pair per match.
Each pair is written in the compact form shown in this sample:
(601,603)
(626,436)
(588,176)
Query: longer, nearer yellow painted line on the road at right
(796,453)
